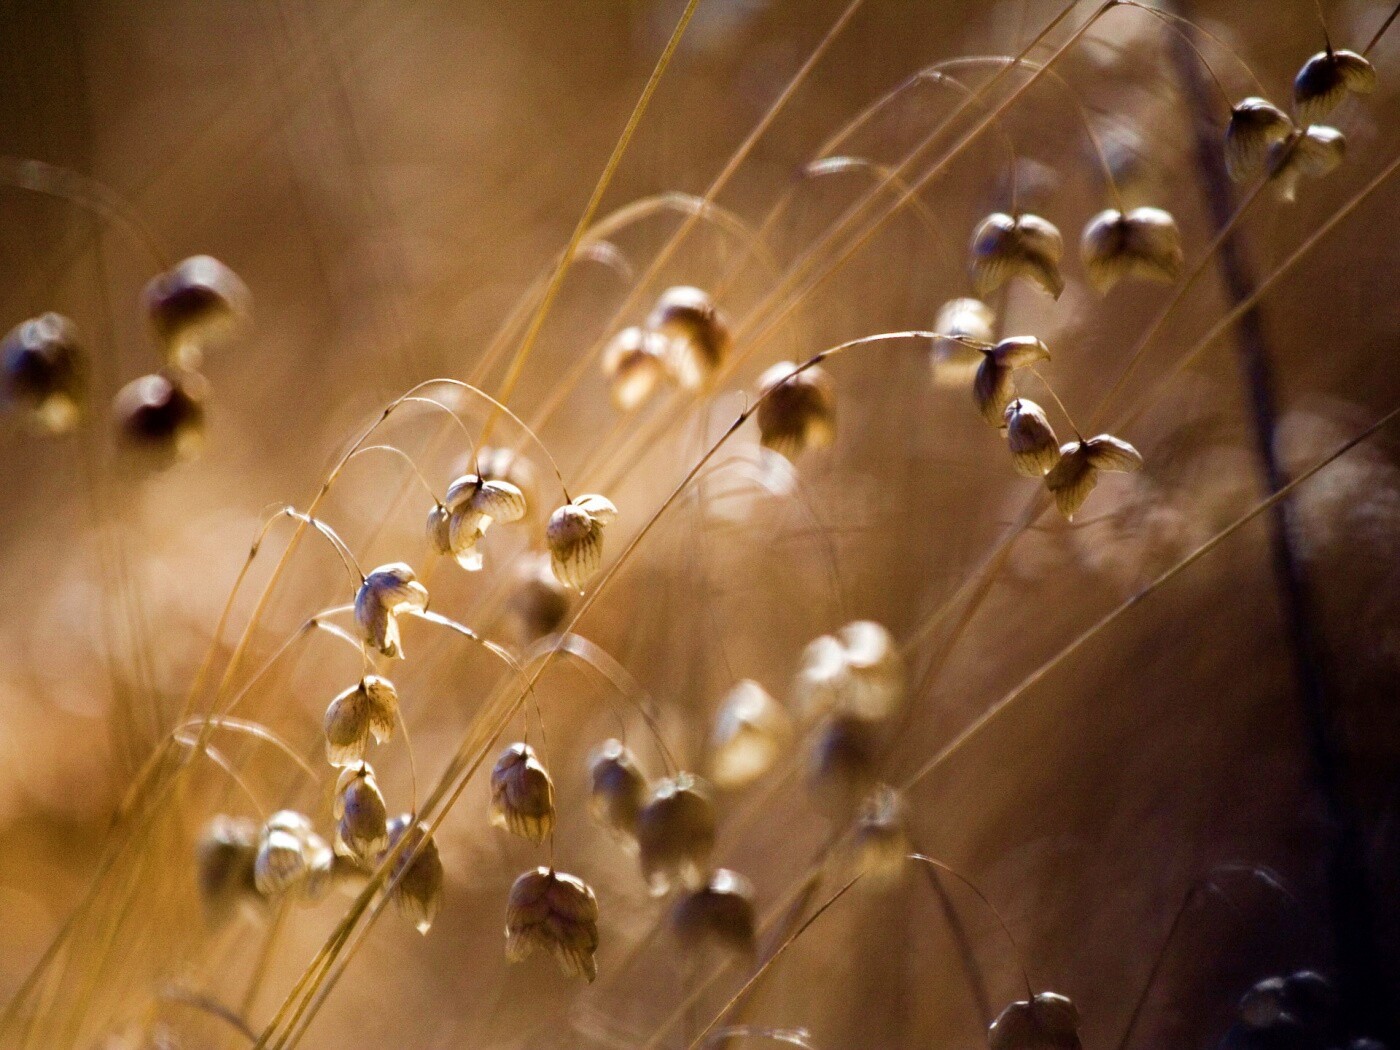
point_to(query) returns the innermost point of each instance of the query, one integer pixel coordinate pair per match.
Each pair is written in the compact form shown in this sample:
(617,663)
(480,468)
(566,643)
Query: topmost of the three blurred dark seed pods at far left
(198,303)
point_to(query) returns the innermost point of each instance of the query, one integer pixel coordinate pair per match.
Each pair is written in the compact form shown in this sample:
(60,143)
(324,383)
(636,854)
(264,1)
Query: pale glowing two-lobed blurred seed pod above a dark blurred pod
(857,671)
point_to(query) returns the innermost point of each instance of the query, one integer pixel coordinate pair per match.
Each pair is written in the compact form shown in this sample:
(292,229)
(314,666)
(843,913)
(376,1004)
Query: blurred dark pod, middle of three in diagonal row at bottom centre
(675,834)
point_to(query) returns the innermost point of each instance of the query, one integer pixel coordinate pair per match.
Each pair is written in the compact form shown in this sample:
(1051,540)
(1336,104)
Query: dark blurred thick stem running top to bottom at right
(1366,1000)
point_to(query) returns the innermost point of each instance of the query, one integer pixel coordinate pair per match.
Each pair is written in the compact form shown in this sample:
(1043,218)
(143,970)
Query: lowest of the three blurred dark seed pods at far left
(162,416)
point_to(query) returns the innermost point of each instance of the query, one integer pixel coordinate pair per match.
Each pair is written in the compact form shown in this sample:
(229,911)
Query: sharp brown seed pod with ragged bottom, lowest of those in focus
(558,913)
